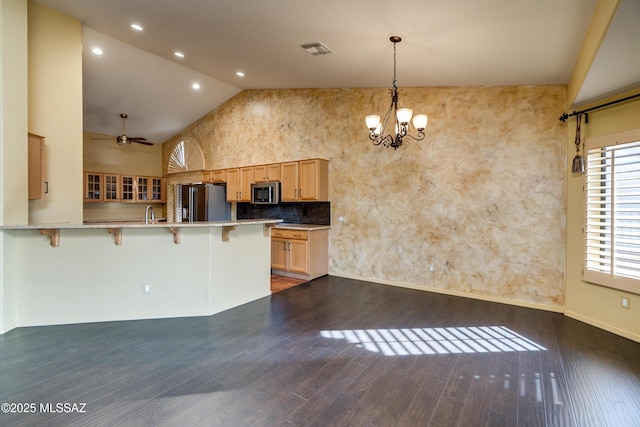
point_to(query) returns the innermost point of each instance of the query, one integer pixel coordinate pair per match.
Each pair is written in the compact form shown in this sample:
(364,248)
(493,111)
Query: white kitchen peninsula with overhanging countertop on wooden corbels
(124,271)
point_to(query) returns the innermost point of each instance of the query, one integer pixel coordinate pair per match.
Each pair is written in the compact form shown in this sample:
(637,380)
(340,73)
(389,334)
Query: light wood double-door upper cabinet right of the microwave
(305,181)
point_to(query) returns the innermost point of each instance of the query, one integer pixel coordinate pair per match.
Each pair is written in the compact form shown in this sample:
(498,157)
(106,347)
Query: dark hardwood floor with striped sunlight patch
(330,352)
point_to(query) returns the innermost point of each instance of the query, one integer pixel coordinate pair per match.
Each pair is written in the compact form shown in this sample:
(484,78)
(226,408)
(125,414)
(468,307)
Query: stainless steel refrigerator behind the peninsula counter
(204,202)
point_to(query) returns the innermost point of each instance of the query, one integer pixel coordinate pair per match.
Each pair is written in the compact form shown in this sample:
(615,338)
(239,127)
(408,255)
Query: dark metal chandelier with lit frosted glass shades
(402,117)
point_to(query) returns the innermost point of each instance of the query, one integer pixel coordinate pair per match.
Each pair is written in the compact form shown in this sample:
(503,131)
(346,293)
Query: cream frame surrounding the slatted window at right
(623,283)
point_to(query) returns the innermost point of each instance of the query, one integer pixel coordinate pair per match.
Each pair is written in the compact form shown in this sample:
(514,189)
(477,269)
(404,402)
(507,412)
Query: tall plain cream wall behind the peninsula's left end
(55,110)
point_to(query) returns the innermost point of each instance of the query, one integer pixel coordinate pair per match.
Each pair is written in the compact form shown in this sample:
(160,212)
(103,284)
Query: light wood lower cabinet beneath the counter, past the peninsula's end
(302,254)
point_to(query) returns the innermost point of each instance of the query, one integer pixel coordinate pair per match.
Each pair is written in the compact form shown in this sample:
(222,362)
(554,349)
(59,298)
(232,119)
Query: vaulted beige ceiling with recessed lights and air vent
(452,43)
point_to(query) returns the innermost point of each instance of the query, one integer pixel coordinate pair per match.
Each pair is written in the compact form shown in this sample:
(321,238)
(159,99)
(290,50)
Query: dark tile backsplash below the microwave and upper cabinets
(318,213)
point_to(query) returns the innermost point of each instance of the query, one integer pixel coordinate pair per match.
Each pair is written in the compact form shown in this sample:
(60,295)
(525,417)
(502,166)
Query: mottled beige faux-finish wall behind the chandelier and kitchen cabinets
(481,199)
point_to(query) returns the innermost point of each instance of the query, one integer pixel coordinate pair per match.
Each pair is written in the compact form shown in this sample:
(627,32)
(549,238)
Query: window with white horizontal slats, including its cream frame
(612,211)
